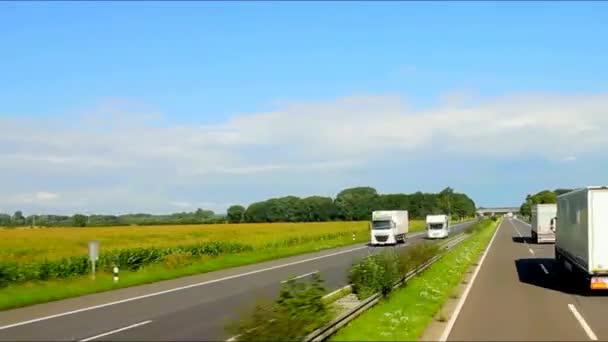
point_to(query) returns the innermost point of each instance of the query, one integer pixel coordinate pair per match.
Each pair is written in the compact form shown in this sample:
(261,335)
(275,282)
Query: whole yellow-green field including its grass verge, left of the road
(43,264)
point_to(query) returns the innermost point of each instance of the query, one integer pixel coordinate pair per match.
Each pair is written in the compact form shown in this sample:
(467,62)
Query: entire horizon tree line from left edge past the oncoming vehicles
(351,204)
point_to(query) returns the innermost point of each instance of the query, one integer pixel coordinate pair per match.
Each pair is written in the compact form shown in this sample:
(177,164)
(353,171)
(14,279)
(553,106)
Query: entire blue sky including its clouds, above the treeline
(165,106)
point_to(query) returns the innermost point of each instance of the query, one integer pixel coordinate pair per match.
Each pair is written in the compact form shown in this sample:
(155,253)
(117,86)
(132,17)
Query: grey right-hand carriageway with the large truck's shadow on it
(518,297)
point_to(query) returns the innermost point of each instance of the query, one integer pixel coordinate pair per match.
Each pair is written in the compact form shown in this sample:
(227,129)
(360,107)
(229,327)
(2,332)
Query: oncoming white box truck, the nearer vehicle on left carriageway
(389,227)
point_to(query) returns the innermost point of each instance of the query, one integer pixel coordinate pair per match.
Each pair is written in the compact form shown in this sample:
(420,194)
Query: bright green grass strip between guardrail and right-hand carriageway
(405,314)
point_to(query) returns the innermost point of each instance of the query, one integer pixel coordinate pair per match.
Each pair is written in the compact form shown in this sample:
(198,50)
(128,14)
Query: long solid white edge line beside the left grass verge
(177,289)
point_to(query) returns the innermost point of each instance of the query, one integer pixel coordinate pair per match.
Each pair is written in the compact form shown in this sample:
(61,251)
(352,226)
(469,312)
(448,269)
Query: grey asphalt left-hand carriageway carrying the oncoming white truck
(190,308)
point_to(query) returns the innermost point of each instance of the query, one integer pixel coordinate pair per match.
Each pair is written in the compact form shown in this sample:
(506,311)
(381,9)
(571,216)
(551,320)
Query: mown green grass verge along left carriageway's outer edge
(34,292)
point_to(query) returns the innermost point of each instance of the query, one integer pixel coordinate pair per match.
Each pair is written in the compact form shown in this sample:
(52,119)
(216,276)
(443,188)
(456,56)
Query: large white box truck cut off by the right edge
(581,234)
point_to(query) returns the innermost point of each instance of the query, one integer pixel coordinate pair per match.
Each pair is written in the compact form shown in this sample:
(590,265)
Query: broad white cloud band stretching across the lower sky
(311,140)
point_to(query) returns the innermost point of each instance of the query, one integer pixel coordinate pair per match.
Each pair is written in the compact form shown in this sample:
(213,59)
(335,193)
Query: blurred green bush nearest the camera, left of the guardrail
(298,311)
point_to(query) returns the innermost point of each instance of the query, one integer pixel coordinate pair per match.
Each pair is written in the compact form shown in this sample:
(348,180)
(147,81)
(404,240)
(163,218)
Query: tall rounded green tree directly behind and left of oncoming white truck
(357,203)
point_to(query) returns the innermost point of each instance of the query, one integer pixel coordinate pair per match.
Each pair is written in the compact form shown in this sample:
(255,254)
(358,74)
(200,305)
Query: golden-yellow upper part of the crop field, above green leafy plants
(36,244)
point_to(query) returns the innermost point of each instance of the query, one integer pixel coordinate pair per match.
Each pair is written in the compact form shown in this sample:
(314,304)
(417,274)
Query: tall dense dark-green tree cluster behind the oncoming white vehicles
(352,205)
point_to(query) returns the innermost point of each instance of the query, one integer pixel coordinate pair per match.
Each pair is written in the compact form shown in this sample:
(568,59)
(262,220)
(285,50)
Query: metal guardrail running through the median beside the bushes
(323,333)
